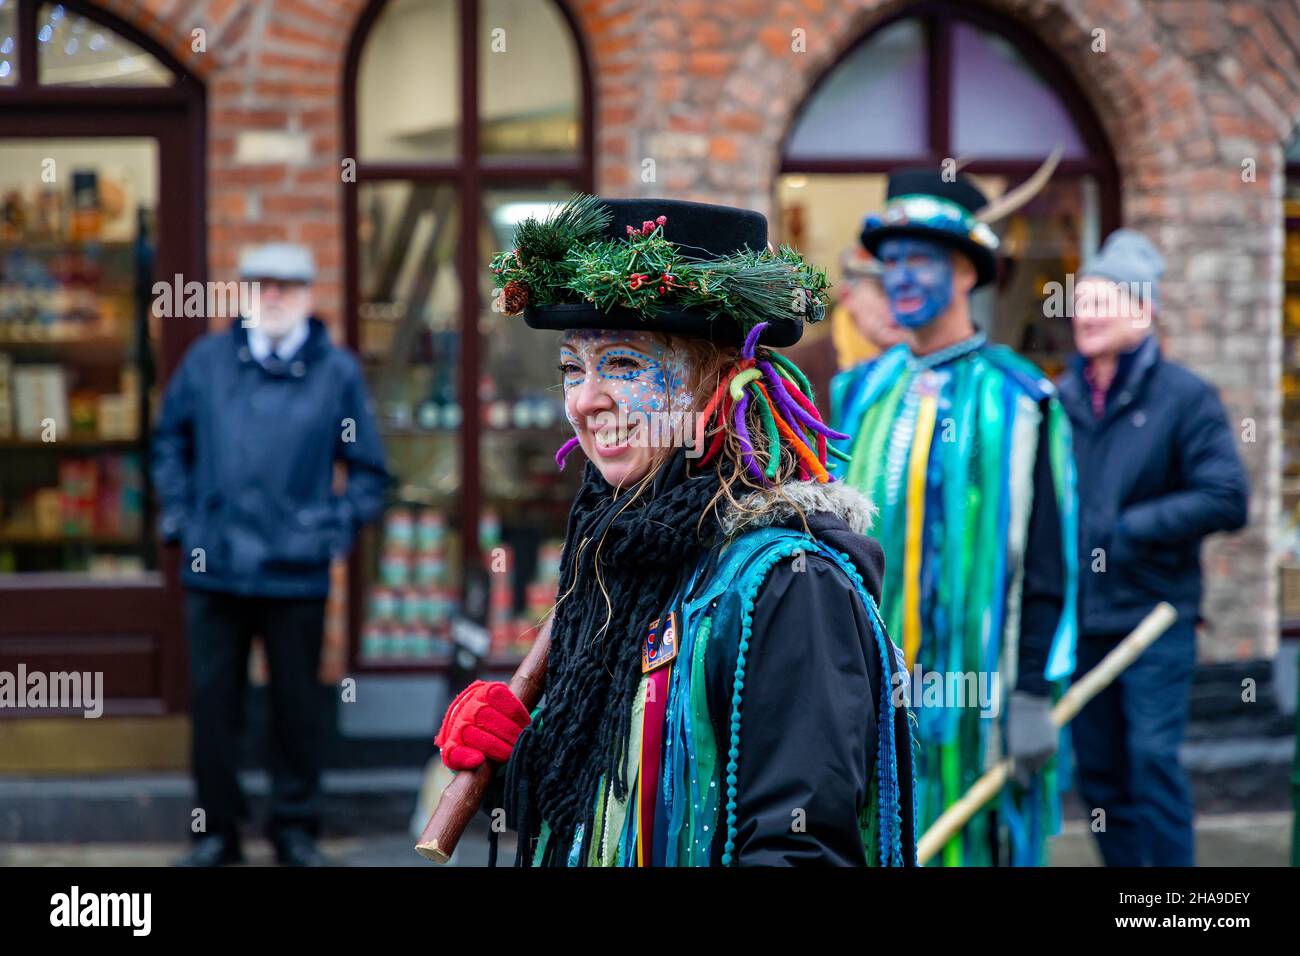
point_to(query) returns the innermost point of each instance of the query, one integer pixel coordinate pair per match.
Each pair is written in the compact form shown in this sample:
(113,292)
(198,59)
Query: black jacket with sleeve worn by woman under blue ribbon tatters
(812,710)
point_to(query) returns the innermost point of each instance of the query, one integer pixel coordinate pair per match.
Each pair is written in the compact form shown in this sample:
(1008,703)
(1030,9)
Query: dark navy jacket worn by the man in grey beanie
(1158,473)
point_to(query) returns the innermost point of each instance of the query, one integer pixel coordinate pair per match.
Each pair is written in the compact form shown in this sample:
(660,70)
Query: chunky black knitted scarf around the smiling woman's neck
(644,551)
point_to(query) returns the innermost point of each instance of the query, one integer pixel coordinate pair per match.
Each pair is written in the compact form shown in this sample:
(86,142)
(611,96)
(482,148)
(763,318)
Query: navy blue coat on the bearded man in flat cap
(244,465)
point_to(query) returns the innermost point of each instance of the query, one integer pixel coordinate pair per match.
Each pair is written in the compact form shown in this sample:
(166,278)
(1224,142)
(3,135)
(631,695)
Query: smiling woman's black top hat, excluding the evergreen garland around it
(703,235)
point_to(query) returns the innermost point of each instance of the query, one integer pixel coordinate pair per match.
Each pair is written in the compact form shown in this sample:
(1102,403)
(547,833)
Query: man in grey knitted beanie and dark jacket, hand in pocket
(1159,470)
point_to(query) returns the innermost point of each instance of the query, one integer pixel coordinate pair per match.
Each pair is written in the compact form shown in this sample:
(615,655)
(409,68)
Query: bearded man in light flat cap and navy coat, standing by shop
(254,423)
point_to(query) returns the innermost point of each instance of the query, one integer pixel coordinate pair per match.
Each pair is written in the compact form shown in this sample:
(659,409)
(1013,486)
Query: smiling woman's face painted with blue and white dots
(622,391)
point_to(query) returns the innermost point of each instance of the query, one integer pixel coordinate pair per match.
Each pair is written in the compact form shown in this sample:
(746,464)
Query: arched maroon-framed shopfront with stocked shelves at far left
(98,124)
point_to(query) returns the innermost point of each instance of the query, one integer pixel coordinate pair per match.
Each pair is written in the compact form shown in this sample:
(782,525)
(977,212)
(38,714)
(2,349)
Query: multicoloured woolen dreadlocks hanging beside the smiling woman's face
(786,406)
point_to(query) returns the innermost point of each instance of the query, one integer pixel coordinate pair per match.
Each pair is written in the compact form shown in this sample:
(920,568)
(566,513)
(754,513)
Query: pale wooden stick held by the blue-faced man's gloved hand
(1093,684)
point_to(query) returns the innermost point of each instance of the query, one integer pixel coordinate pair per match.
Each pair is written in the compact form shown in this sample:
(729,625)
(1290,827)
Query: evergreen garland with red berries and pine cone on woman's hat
(564,259)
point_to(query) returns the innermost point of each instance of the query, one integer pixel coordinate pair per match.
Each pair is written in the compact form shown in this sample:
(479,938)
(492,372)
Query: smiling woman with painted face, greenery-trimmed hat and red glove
(720,686)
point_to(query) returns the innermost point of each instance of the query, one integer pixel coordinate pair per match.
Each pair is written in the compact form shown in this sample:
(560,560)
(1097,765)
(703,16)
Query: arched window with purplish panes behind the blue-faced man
(959,84)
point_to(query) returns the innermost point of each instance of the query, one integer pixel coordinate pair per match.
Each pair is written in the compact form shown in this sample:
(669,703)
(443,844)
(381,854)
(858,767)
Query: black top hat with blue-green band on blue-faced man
(922,204)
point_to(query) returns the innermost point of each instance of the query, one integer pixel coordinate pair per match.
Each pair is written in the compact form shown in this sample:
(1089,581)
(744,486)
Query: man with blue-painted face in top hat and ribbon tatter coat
(964,448)
